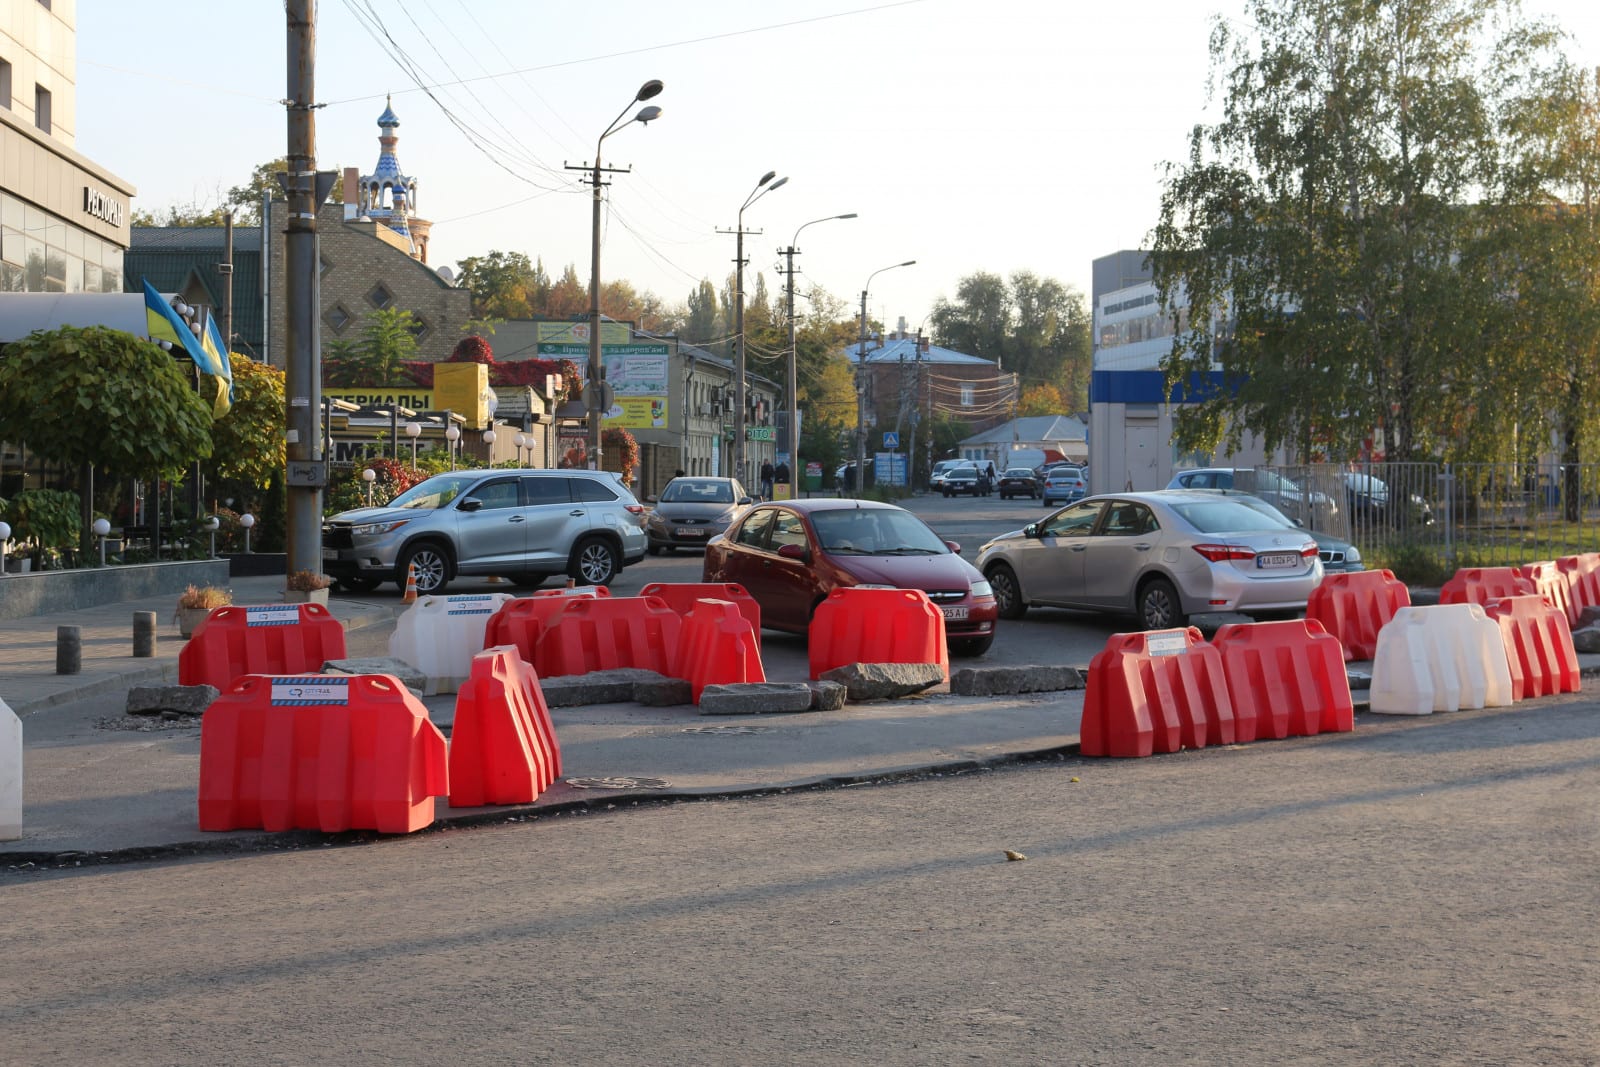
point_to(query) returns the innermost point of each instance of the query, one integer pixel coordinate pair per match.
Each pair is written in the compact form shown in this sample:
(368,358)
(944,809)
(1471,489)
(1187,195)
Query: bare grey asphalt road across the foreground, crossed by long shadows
(1420,892)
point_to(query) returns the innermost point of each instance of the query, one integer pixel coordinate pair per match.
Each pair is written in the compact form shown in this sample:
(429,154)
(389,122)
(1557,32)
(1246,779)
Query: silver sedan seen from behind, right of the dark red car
(1159,557)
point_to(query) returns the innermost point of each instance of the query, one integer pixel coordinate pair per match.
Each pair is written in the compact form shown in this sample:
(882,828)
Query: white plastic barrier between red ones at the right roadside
(1439,660)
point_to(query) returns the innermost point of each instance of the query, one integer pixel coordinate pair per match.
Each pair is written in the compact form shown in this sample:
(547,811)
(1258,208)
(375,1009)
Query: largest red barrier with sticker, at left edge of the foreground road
(319,753)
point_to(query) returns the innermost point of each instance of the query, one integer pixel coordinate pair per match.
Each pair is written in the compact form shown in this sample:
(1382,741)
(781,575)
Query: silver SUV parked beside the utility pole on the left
(524,526)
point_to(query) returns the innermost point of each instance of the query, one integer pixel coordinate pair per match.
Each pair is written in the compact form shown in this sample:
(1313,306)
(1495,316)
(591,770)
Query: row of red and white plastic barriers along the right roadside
(1495,639)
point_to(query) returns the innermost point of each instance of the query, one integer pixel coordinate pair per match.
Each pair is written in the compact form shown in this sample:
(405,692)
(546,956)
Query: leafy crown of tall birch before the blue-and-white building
(1319,233)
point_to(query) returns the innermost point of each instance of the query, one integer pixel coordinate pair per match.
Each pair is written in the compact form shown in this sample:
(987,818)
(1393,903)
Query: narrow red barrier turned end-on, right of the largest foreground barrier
(503,743)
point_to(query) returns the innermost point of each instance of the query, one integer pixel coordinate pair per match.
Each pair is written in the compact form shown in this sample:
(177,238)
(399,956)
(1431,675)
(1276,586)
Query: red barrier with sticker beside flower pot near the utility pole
(260,641)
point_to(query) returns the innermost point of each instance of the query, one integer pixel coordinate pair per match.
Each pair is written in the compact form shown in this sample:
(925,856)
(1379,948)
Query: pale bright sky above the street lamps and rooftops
(991,135)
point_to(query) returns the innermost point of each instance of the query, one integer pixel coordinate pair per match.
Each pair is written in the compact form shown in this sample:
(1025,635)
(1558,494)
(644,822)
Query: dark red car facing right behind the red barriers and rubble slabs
(790,556)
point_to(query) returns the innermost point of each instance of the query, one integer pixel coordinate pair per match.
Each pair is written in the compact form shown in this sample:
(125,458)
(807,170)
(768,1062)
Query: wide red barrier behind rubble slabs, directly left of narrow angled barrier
(609,633)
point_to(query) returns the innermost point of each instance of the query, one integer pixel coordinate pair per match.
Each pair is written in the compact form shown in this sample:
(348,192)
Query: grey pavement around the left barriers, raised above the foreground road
(103,788)
